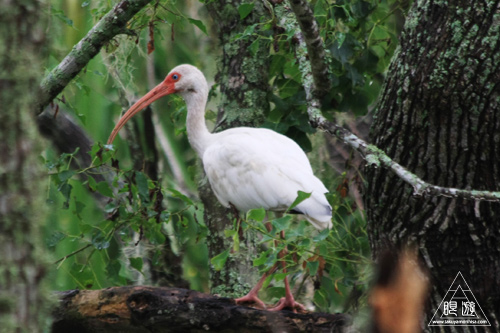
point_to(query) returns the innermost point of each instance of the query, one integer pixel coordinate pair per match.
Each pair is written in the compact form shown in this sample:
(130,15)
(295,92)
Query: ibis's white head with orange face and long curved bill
(185,80)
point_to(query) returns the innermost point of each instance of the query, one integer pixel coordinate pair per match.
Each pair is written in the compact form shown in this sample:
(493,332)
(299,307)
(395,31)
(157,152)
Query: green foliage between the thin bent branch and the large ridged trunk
(361,38)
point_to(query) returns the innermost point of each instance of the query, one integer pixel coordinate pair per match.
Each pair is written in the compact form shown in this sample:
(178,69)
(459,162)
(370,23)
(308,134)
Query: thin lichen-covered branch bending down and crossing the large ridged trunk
(371,153)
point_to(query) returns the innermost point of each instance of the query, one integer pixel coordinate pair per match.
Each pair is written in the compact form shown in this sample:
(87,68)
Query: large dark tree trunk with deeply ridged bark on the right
(439,117)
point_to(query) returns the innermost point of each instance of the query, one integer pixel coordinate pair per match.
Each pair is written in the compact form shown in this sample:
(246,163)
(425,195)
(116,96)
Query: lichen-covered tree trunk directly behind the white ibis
(243,79)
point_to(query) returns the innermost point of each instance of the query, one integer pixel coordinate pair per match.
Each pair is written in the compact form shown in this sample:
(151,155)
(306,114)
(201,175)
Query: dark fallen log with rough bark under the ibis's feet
(148,309)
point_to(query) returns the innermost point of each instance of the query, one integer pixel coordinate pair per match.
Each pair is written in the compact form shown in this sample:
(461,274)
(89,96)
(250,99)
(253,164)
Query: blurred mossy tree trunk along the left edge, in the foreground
(23,306)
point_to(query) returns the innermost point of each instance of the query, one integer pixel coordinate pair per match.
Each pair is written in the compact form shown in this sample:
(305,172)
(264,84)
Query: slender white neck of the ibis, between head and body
(198,134)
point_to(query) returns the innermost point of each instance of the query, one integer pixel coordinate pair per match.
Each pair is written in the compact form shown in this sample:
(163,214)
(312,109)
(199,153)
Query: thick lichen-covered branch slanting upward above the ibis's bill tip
(112,24)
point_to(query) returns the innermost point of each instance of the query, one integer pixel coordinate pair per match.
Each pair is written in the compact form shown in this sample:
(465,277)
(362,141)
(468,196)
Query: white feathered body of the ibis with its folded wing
(253,168)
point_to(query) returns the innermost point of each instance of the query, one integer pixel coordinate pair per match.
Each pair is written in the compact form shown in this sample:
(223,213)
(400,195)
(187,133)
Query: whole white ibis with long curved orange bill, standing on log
(247,167)
